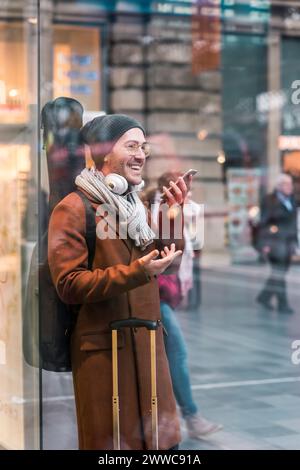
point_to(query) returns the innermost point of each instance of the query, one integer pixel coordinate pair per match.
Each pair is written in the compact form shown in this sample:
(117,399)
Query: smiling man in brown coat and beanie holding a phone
(121,284)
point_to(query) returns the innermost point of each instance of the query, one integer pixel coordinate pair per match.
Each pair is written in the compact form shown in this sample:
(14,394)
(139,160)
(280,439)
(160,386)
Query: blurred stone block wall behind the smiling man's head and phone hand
(151,79)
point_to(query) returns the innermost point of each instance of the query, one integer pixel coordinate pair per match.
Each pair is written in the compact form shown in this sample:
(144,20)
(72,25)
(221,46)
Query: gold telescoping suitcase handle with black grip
(151,325)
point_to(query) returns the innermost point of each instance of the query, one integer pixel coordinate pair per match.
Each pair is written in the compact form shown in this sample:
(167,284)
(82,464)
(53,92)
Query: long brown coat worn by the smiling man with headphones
(116,288)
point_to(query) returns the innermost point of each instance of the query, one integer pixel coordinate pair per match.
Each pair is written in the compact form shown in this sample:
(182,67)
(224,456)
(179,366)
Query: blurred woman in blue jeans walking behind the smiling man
(173,289)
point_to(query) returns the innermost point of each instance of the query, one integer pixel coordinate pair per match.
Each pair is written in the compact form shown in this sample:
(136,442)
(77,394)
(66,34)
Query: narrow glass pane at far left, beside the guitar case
(19,391)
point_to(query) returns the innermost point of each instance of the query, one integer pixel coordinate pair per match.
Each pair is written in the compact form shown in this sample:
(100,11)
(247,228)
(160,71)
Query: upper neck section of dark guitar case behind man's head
(61,123)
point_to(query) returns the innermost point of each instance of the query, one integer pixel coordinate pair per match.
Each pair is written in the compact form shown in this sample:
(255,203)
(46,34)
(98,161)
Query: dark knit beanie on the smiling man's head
(108,129)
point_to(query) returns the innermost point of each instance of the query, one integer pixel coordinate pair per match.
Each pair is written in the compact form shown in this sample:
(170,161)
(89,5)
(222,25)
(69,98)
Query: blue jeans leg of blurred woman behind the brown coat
(177,357)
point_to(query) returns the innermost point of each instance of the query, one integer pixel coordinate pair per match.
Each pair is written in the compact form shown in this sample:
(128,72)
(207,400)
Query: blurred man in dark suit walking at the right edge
(277,240)
